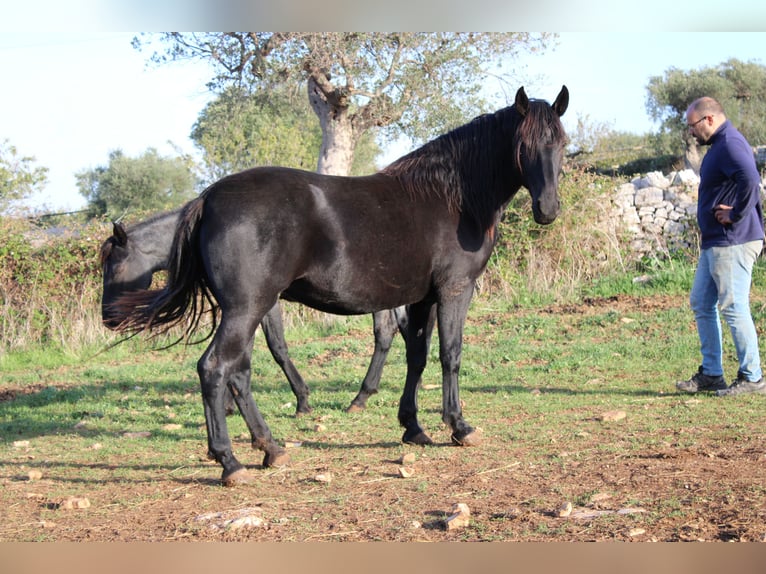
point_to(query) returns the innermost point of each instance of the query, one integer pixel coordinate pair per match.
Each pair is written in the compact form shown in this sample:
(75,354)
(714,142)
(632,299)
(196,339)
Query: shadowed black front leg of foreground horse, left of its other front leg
(417,355)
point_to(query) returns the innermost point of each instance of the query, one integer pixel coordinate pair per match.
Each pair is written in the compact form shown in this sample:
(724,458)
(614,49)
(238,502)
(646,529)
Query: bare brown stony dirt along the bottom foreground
(710,491)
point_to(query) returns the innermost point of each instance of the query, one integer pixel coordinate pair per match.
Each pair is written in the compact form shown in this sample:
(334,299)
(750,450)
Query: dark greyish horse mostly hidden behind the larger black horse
(131,256)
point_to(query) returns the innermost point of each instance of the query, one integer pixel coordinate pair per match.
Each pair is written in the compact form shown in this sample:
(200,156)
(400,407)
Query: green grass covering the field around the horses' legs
(536,380)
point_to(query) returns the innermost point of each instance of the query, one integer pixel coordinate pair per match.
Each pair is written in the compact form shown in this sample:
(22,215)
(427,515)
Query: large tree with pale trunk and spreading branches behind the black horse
(416,84)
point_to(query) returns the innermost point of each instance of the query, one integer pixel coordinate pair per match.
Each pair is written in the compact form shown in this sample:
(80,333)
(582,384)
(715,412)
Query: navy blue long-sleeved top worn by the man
(728,175)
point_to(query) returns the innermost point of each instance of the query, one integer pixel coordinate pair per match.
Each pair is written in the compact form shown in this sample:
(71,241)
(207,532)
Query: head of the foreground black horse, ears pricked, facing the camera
(539,148)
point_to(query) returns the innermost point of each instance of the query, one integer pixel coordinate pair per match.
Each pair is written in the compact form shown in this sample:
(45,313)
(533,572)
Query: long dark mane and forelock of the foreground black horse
(465,166)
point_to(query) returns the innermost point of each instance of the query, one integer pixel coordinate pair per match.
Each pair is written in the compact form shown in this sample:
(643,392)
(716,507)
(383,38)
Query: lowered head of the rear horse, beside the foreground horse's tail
(124,269)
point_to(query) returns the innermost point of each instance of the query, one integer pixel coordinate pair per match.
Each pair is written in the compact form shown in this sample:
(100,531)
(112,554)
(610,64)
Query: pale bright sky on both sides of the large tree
(69,99)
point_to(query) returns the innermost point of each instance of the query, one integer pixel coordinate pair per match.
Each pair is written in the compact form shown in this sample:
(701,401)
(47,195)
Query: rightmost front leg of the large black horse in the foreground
(452,316)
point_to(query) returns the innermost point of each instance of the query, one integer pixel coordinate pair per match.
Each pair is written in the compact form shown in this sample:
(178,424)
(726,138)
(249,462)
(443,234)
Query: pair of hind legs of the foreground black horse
(226,363)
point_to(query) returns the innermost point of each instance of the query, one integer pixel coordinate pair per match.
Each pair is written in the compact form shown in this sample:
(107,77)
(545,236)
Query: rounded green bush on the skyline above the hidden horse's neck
(148,183)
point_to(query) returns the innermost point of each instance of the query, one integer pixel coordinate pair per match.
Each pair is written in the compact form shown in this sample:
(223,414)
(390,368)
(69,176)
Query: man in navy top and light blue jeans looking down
(730,218)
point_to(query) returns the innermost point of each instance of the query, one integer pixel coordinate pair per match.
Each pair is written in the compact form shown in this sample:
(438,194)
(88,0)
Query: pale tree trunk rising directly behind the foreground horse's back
(336,153)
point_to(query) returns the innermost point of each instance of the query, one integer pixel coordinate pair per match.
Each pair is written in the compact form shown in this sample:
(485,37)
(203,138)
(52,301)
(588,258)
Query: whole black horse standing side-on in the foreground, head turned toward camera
(417,233)
